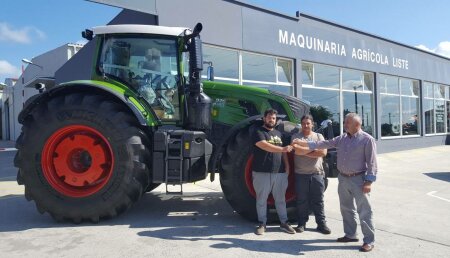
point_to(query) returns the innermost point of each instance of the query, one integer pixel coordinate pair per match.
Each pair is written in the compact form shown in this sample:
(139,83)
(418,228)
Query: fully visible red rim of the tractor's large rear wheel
(77,161)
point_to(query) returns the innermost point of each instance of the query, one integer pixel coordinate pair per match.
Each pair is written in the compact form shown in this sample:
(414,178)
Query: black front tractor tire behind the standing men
(233,179)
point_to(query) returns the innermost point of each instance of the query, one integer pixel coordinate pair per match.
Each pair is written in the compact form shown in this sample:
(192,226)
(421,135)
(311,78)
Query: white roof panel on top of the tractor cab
(135,28)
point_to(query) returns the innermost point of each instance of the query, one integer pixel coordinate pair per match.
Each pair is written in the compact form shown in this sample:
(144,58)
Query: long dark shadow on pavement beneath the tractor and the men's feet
(191,217)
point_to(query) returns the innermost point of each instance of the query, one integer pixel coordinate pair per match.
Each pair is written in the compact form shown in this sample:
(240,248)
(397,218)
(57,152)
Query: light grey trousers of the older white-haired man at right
(350,192)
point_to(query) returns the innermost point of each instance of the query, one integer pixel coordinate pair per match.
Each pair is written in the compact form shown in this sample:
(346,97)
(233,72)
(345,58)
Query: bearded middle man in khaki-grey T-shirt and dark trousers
(309,178)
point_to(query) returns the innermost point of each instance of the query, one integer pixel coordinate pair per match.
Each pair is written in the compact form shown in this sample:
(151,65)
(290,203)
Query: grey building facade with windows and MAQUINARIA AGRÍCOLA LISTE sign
(402,93)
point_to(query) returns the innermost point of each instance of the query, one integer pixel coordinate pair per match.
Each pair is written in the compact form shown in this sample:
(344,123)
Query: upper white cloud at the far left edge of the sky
(20,35)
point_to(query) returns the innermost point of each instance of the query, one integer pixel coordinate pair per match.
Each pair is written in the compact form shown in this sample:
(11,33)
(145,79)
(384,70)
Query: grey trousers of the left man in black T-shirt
(266,183)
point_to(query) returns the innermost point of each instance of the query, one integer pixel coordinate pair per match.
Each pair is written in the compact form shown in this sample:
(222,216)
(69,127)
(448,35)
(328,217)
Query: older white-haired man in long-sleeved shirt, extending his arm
(357,164)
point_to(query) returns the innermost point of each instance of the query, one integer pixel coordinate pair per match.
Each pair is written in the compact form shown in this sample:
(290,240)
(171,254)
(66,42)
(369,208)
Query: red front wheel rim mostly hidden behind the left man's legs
(290,192)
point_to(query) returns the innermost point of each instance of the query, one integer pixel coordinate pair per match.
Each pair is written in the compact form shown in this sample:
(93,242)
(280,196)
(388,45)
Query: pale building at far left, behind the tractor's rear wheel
(15,95)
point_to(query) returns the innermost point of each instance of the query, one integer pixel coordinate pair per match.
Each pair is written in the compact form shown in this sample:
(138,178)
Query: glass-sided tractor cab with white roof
(147,60)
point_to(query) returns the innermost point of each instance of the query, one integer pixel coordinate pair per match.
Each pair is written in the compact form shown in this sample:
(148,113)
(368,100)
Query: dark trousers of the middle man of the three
(309,190)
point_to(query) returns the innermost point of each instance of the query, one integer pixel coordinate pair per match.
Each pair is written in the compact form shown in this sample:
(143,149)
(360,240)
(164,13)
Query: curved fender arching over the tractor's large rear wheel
(36,100)
